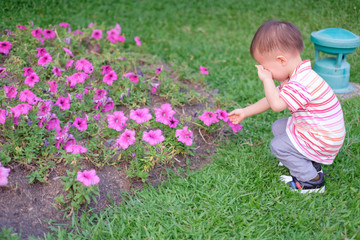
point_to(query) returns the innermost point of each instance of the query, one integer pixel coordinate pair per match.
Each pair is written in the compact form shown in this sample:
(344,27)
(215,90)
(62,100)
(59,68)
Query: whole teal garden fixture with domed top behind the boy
(335,70)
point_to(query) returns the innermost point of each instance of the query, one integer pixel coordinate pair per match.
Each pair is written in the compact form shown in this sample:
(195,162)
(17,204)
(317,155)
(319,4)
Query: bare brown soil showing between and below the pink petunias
(26,207)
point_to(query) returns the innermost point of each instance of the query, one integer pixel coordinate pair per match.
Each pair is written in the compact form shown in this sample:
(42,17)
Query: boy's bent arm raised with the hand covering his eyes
(272,94)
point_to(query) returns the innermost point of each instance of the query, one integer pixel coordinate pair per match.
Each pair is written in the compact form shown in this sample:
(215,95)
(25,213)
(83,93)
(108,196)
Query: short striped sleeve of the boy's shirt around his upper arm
(295,95)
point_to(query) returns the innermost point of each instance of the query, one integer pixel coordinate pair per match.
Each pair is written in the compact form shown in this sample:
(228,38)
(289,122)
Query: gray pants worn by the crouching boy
(281,146)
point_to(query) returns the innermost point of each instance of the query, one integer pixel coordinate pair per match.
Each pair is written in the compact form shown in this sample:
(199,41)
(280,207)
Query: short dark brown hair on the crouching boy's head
(276,35)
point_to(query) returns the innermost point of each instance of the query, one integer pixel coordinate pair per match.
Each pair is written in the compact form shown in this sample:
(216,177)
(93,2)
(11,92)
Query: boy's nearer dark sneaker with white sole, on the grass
(305,187)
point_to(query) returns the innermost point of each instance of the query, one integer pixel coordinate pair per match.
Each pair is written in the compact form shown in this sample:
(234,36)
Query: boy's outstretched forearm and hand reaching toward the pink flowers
(240,114)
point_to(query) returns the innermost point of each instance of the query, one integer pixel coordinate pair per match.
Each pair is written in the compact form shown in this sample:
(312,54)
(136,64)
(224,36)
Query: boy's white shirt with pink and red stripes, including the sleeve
(316,127)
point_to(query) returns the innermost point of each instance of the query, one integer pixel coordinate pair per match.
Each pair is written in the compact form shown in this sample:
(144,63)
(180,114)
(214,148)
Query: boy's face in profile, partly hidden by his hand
(274,64)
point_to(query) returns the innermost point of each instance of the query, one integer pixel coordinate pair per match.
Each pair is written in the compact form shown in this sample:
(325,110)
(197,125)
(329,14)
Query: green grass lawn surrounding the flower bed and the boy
(238,196)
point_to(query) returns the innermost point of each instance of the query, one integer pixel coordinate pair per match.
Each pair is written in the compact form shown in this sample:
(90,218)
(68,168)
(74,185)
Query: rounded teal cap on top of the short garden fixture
(335,37)
